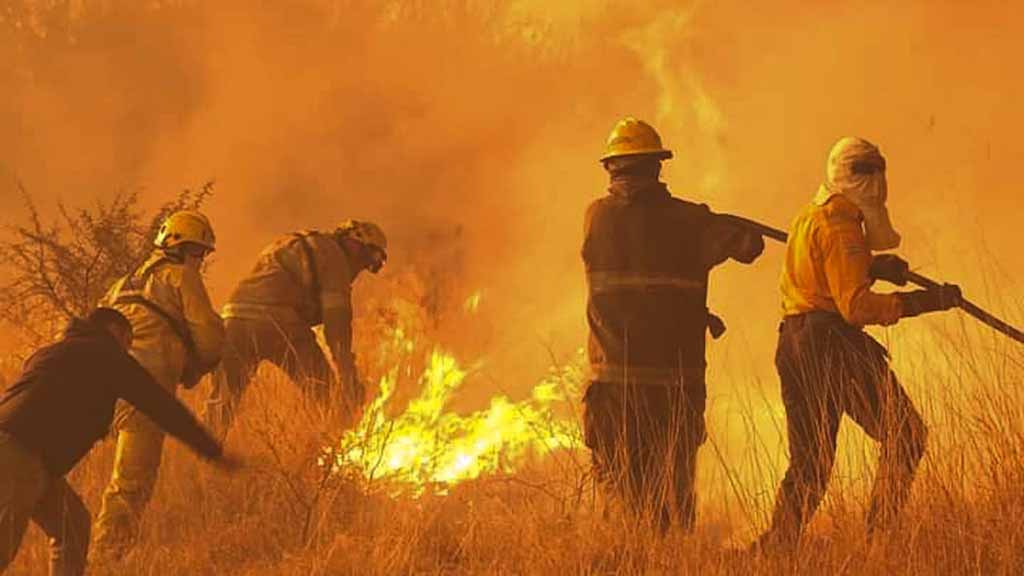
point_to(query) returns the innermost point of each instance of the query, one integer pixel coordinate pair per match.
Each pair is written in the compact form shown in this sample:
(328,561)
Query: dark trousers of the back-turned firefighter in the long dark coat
(645,442)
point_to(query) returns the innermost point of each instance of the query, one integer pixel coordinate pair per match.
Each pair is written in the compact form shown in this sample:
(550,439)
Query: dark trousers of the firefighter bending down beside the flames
(293,349)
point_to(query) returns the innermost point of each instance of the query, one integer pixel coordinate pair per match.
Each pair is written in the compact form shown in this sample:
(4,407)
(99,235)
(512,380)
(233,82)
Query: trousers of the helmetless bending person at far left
(28,492)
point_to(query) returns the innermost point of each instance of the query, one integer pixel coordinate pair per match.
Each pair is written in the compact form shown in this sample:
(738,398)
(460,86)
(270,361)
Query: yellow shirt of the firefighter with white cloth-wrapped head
(827,266)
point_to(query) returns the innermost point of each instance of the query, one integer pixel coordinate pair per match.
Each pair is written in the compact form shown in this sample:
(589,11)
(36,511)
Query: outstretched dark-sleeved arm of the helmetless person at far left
(138,388)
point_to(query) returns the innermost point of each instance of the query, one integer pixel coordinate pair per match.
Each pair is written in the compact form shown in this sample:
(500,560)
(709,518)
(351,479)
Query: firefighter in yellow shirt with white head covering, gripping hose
(828,365)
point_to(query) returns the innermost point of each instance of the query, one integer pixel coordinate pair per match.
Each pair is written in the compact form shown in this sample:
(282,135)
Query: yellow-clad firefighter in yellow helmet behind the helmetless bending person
(179,338)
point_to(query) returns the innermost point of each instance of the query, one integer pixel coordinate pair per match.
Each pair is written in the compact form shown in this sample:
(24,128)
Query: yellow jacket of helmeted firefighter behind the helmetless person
(177,289)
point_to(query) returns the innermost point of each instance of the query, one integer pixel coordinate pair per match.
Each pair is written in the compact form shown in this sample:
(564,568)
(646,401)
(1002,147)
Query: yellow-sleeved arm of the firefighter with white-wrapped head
(846,261)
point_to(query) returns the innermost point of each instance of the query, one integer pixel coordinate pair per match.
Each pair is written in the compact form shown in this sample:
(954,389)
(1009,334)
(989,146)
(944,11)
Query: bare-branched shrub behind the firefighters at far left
(62,269)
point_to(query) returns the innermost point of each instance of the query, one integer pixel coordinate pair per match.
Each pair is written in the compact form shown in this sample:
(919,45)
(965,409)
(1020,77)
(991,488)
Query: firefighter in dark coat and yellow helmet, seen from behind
(648,258)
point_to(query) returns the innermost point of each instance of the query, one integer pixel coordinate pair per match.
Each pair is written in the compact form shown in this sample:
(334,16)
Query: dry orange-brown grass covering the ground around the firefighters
(279,517)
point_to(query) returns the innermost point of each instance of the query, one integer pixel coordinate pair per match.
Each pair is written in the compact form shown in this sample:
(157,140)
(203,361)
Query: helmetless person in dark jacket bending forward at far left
(51,418)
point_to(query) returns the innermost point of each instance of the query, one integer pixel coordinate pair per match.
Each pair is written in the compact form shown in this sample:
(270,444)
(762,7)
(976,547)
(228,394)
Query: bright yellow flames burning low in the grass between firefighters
(429,447)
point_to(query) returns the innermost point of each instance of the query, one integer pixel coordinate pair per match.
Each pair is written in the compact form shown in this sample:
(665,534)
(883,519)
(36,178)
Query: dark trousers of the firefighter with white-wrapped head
(829,368)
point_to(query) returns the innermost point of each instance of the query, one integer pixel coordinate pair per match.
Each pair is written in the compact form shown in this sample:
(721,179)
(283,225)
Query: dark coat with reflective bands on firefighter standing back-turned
(648,258)
